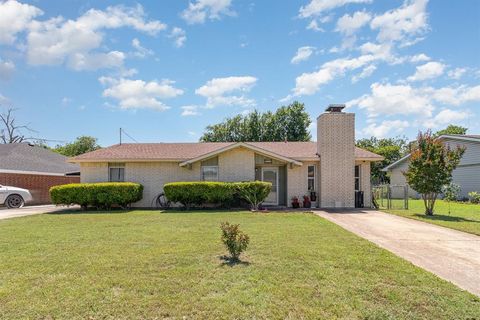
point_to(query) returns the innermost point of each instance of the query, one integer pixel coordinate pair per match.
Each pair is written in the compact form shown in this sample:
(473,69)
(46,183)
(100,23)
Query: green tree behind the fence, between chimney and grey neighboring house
(391,149)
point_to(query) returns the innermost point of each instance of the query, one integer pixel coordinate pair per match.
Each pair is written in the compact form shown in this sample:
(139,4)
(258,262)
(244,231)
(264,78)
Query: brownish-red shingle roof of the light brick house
(186,151)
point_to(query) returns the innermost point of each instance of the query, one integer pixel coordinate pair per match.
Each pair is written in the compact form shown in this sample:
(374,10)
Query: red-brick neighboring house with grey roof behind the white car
(35,168)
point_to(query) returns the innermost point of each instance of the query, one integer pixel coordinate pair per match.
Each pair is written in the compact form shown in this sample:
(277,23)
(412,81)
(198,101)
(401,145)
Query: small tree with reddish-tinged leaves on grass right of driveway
(430,168)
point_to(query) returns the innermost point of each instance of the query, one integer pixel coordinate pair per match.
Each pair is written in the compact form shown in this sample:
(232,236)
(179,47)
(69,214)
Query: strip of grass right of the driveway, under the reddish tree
(463,216)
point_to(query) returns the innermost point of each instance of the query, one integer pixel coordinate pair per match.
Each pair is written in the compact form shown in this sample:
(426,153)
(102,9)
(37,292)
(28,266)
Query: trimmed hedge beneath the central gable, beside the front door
(218,193)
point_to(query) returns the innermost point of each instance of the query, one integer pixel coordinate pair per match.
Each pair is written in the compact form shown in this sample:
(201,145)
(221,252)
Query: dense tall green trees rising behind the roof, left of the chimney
(286,123)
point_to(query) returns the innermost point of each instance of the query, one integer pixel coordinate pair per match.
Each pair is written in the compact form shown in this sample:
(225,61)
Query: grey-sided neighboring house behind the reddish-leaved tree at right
(466,175)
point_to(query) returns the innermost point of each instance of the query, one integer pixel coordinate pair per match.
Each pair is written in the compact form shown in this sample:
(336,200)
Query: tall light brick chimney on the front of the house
(336,148)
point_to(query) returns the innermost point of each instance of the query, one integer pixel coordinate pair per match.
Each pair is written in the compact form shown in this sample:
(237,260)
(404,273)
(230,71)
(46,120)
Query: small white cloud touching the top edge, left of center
(200,10)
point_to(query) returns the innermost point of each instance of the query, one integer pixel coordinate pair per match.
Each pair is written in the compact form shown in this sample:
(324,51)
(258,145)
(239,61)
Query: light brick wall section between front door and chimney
(297,181)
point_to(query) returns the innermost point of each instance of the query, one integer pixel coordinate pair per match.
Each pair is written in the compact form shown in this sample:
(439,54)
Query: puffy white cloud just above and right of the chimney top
(390,99)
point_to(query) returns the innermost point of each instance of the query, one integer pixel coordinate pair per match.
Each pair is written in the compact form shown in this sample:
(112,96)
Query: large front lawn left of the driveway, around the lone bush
(151,265)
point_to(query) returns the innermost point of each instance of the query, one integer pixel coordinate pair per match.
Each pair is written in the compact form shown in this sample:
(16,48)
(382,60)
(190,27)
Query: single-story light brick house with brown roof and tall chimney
(333,167)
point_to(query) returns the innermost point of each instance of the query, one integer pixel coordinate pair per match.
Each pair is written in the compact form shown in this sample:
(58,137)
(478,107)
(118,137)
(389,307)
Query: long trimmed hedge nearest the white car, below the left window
(98,195)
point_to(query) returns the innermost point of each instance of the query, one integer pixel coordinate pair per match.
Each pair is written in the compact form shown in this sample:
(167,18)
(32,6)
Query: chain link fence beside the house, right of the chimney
(388,197)
